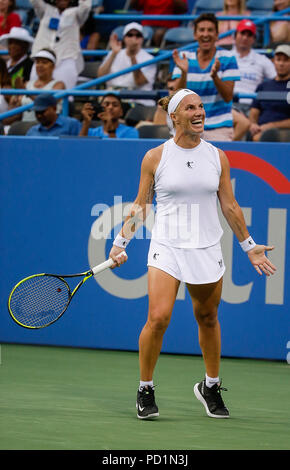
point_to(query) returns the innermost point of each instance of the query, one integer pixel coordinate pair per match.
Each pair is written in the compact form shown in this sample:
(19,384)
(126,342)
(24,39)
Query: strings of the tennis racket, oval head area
(39,300)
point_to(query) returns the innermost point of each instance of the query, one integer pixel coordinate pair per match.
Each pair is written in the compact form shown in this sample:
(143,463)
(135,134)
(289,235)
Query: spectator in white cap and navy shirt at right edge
(273,114)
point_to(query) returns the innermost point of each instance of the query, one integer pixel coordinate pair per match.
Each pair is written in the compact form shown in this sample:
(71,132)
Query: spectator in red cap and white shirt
(254,68)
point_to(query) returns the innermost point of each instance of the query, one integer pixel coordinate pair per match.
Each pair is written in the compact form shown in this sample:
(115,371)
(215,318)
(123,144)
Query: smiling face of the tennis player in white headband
(190,115)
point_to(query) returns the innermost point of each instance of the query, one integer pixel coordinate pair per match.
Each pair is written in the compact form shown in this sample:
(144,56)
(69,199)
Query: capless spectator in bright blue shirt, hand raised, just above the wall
(110,115)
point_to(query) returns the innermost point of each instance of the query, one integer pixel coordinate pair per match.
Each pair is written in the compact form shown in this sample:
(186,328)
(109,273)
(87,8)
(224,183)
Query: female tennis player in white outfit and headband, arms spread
(187,174)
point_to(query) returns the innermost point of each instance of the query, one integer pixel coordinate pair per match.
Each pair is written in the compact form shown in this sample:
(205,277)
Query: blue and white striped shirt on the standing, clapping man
(218,112)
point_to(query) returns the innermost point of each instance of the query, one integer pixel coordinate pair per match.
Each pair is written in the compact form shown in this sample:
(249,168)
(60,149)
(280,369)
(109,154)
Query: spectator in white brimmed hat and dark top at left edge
(19,63)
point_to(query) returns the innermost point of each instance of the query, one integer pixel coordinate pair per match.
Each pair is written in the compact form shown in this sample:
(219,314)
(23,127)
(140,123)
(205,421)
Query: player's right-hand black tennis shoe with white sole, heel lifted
(211,399)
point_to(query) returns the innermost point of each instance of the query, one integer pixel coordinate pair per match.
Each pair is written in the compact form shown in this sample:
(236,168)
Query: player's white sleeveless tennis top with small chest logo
(186,185)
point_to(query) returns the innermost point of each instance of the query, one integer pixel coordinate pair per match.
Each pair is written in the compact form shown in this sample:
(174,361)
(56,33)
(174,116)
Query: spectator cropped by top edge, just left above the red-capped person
(231,8)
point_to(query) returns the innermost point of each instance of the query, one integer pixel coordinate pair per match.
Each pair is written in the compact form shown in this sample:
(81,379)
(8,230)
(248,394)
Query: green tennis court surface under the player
(72,399)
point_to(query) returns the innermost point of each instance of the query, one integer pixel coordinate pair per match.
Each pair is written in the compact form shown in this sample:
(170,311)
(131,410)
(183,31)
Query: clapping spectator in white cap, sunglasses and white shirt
(121,58)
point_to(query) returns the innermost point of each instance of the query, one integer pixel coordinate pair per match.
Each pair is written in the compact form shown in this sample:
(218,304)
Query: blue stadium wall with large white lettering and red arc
(57,197)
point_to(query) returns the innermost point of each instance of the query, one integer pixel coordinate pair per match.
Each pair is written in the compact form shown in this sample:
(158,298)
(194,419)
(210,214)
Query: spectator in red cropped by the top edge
(157,7)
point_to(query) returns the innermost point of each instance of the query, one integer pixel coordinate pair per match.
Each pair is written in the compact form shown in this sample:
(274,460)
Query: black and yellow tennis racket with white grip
(39,300)
